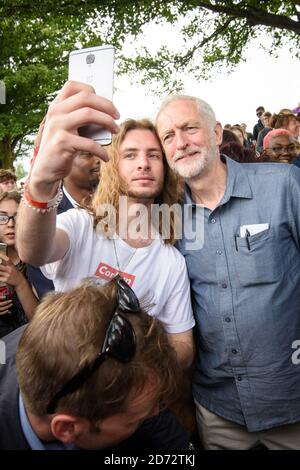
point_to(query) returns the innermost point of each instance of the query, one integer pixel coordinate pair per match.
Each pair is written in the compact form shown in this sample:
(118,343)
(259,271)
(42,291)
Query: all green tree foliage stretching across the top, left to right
(35,41)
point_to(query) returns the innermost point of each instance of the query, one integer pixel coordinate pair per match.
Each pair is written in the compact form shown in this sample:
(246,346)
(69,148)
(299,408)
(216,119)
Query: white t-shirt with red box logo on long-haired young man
(157,273)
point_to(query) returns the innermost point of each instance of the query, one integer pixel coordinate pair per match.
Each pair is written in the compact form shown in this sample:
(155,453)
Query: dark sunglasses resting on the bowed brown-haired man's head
(119,342)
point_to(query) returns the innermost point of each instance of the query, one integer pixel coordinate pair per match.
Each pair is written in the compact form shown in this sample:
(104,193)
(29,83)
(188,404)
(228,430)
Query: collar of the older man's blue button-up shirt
(237,184)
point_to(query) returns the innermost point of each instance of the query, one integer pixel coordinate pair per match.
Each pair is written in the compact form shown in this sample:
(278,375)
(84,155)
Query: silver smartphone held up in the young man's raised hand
(95,66)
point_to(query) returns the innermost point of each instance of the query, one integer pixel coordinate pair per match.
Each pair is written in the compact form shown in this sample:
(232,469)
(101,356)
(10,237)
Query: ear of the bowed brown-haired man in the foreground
(66,428)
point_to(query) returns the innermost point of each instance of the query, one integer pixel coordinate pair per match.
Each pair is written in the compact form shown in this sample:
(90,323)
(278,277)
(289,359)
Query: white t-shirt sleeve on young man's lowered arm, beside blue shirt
(177,314)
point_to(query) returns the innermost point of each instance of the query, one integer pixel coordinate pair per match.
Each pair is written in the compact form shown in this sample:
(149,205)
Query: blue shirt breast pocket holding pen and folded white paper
(257,260)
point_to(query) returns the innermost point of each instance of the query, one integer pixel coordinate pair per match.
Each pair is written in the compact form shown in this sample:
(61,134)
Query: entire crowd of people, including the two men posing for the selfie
(119,335)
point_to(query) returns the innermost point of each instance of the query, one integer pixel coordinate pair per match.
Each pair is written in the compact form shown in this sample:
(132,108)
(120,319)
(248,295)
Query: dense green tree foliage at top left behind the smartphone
(34,47)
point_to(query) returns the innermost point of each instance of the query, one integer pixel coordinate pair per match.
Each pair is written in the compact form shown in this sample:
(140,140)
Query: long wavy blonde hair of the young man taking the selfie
(111,186)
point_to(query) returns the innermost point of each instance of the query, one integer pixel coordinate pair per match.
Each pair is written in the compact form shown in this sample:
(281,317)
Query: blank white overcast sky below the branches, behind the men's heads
(262,80)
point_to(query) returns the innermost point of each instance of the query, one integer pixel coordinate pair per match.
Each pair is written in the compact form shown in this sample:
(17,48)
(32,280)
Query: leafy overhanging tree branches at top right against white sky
(215,33)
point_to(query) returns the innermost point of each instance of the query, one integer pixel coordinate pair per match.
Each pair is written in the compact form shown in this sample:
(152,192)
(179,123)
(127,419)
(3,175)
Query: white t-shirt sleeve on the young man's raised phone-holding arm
(69,222)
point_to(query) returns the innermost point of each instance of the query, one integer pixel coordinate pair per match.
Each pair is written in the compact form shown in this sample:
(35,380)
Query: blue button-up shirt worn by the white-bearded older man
(246,298)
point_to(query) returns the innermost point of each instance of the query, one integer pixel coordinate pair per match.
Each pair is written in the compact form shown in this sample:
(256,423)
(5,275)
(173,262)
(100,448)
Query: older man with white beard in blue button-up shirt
(245,283)
